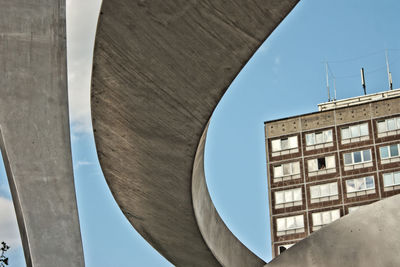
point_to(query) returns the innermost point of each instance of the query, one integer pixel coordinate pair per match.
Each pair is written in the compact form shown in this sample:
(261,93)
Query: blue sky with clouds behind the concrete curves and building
(285,77)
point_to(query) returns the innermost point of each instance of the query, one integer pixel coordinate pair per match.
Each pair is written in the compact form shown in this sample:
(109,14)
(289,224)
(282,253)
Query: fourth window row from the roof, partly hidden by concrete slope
(295,224)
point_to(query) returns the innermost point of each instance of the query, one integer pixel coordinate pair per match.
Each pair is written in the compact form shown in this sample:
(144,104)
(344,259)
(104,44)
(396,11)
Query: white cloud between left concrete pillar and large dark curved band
(82,19)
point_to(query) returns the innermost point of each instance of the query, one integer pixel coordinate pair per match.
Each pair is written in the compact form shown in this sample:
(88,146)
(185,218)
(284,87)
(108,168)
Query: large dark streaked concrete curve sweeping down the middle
(160,68)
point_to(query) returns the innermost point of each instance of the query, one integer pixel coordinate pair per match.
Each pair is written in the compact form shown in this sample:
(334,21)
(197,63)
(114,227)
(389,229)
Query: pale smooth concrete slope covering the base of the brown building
(368,237)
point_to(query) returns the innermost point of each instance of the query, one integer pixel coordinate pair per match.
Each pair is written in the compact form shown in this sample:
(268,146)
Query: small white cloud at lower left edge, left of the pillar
(8,224)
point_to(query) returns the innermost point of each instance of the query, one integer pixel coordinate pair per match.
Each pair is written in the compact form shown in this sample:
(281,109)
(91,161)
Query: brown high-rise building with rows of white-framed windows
(324,165)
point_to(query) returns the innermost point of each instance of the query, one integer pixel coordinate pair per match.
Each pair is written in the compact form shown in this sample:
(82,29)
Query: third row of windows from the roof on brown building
(329,191)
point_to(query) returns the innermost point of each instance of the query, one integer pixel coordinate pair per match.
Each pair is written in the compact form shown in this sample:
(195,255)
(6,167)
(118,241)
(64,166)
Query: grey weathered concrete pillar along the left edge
(35,130)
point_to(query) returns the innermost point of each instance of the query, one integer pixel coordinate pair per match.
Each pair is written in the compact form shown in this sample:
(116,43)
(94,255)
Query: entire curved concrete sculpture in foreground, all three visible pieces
(160,70)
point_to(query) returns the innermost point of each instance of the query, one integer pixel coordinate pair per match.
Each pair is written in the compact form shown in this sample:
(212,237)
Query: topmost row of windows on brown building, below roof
(352,133)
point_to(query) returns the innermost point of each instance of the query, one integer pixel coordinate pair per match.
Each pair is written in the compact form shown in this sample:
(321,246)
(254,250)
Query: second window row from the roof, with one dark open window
(327,164)
